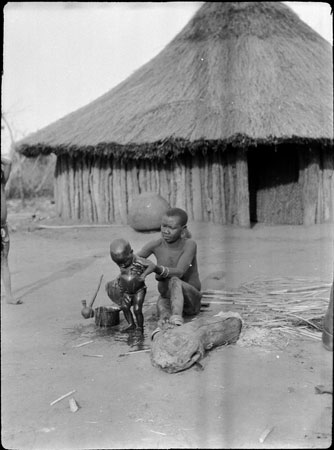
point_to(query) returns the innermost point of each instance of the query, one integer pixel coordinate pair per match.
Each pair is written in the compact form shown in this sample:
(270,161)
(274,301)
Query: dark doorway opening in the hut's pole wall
(275,195)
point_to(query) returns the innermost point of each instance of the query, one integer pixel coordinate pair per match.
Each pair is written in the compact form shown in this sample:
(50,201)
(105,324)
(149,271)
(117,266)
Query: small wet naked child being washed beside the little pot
(129,288)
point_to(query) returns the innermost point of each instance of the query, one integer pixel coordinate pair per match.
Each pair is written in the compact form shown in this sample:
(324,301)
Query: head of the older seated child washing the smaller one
(174,225)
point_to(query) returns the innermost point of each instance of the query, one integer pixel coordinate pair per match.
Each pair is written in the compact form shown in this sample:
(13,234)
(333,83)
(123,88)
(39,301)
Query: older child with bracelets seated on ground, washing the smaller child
(177,273)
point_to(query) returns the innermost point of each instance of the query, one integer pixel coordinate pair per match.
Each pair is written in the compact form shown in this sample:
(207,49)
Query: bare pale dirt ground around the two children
(124,401)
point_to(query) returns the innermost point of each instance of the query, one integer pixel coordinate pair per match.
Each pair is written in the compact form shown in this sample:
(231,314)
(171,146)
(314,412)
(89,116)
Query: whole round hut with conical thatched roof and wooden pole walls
(240,76)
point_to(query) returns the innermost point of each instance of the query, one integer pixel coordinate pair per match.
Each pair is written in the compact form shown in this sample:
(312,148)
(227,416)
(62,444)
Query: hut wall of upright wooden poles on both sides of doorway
(212,187)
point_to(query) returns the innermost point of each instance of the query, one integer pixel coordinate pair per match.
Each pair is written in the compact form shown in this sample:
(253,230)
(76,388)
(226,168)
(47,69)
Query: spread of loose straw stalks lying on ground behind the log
(295,306)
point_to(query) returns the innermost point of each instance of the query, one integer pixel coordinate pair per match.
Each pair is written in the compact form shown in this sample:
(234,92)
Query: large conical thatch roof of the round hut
(239,72)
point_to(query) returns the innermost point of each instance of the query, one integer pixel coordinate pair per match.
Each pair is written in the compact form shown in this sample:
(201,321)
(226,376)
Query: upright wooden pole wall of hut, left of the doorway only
(100,189)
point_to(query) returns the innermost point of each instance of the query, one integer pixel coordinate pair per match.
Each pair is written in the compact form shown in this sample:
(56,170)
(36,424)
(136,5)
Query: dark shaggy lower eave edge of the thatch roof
(173,148)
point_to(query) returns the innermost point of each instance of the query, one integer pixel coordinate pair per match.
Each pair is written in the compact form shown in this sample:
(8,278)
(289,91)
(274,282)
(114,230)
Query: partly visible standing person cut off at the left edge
(5,273)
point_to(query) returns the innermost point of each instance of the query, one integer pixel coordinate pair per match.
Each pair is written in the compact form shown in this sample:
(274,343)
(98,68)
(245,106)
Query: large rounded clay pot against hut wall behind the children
(146,211)
